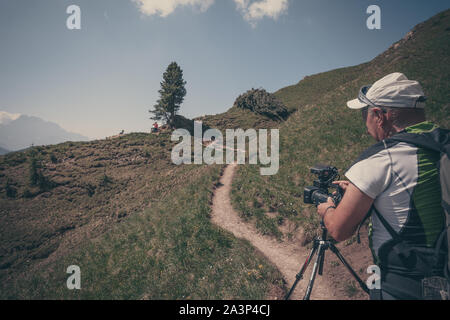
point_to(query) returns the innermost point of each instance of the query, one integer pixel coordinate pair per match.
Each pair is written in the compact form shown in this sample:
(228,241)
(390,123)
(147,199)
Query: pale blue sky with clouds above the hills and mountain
(103,78)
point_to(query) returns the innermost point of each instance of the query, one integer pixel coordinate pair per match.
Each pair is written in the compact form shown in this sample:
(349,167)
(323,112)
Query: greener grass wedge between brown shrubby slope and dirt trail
(171,251)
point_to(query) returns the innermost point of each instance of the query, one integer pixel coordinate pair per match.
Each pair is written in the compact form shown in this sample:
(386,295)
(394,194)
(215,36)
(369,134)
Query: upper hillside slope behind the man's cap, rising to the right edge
(421,55)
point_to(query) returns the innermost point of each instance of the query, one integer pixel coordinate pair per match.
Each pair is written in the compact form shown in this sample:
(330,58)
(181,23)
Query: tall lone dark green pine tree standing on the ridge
(172,94)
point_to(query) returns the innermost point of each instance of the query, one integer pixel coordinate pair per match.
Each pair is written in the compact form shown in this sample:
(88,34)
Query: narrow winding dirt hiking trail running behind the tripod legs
(287,256)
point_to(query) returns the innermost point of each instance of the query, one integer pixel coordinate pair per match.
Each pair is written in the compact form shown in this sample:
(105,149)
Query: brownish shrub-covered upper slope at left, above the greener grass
(83,186)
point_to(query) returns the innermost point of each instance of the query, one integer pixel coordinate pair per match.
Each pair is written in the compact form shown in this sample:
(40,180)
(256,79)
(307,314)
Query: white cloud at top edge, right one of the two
(258,10)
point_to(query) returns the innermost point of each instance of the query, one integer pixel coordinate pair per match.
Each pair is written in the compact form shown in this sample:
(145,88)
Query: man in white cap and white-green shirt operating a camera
(399,182)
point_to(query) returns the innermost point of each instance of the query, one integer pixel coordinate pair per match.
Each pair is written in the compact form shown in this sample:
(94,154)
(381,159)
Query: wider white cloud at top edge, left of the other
(163,8)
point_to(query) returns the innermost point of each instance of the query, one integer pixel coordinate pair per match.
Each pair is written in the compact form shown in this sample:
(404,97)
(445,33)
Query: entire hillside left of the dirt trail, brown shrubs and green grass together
(137,225)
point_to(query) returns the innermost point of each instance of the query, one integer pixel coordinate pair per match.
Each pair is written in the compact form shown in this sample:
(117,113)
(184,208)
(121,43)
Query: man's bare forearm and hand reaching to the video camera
(342,222)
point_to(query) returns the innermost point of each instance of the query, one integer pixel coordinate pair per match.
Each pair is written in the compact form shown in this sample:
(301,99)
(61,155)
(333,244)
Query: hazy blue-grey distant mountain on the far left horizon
(21,131)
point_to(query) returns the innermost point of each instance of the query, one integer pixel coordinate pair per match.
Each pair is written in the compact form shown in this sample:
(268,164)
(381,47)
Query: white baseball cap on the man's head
(393,90)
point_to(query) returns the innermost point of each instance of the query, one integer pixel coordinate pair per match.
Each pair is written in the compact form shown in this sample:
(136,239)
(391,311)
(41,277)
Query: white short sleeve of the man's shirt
(371,175)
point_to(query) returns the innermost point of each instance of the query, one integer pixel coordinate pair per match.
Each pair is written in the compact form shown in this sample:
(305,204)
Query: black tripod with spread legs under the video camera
(321,244)
